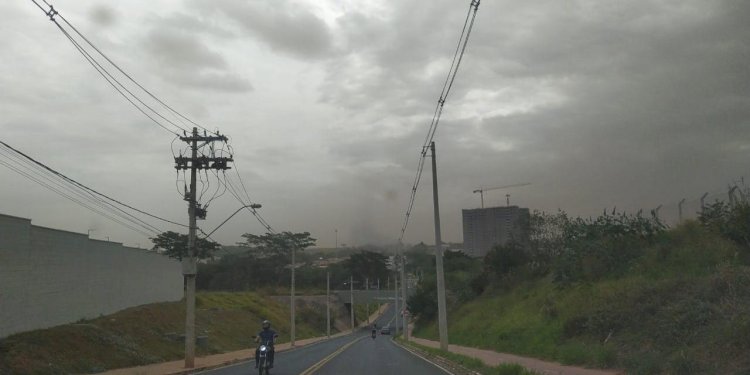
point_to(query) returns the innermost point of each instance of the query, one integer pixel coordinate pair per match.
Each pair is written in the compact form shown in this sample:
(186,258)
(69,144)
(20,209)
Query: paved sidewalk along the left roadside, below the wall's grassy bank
(218,360)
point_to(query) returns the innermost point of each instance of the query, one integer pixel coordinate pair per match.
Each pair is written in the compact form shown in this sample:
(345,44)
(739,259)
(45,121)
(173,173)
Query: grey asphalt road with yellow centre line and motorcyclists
(350,354)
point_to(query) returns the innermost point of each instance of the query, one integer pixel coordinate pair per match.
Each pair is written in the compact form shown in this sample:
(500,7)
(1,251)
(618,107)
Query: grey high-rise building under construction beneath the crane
(485,228)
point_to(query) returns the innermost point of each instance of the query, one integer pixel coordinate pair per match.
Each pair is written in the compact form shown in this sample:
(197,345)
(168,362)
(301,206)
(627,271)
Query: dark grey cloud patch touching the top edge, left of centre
(283,26)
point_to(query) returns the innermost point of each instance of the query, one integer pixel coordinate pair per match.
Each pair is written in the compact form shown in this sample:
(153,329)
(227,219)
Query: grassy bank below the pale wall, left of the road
(149,334)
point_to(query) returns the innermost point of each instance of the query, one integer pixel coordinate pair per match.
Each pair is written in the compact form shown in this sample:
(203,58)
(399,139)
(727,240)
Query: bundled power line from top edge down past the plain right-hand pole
(447,85)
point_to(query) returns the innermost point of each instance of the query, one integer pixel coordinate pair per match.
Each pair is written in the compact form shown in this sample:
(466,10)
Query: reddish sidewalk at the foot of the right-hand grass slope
(492,358)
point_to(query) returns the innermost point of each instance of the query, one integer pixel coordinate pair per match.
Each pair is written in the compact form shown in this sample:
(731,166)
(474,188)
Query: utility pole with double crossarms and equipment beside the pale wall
(189,266)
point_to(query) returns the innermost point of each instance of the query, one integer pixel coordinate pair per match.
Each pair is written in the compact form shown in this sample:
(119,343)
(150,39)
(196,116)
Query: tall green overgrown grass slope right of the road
(683,308)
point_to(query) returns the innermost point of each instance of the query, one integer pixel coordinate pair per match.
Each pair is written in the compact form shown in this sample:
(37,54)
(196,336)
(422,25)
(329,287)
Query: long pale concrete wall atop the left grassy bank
(50,277)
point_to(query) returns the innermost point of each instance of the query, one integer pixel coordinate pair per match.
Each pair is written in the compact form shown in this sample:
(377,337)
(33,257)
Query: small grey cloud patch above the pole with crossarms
(186,60)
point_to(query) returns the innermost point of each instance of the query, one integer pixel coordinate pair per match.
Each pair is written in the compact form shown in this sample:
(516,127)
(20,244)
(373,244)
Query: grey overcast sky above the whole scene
(595,103)
